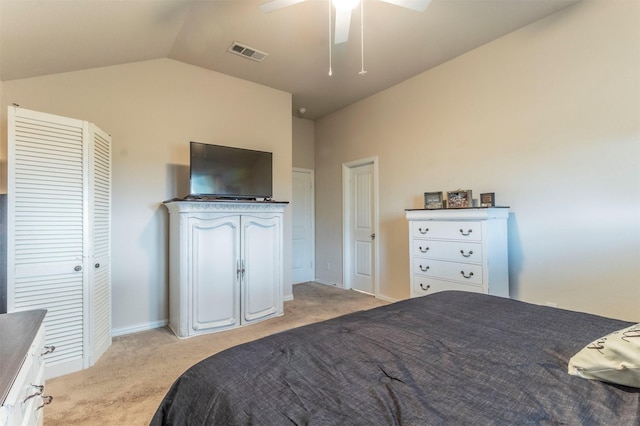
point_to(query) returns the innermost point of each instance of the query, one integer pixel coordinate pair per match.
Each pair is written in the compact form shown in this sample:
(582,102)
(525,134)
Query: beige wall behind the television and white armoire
(153,109)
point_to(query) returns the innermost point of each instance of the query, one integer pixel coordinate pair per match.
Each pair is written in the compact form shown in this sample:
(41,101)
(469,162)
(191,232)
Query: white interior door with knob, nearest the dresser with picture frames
(362,228)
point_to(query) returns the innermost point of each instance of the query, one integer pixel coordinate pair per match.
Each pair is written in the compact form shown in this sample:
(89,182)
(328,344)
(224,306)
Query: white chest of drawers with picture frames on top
(459,249)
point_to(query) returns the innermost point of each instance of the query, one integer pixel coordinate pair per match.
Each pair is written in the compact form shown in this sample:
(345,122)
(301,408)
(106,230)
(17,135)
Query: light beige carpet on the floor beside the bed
(128,382)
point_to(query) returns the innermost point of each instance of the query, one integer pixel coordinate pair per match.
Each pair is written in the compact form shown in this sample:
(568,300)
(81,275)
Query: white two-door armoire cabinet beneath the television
(225,266)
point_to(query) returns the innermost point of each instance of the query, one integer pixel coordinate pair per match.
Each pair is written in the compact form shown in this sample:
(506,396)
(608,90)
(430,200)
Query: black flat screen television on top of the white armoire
(229,173)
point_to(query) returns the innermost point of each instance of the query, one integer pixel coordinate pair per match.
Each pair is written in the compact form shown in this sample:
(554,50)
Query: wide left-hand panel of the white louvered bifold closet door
(45,250)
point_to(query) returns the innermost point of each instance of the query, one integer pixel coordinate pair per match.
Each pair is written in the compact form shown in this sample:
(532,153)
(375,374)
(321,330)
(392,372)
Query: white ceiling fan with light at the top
(343,12)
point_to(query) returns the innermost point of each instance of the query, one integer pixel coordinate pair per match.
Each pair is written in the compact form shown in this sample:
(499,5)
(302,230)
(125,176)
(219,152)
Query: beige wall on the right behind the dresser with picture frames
(548,118)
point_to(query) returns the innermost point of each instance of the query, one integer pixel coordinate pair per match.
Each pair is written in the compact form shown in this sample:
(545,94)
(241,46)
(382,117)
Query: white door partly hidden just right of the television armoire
(303,226)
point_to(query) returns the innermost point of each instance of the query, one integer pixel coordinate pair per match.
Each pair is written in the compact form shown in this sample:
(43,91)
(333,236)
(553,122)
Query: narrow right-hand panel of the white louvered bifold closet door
(100,262)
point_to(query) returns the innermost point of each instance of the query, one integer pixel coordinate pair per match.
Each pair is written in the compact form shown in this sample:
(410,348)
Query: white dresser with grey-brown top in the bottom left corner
(22,375)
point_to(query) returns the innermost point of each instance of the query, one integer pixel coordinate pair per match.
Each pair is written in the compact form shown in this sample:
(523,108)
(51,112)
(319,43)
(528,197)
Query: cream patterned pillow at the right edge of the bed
(614,358)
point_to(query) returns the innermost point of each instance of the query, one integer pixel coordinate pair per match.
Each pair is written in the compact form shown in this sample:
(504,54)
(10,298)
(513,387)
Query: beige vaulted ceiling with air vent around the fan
(39,37)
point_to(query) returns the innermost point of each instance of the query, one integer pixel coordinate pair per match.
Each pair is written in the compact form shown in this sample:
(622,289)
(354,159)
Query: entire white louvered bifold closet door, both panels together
(58,233)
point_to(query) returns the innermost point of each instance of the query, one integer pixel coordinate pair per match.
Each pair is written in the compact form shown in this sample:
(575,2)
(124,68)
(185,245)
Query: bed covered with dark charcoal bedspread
(448,358)
